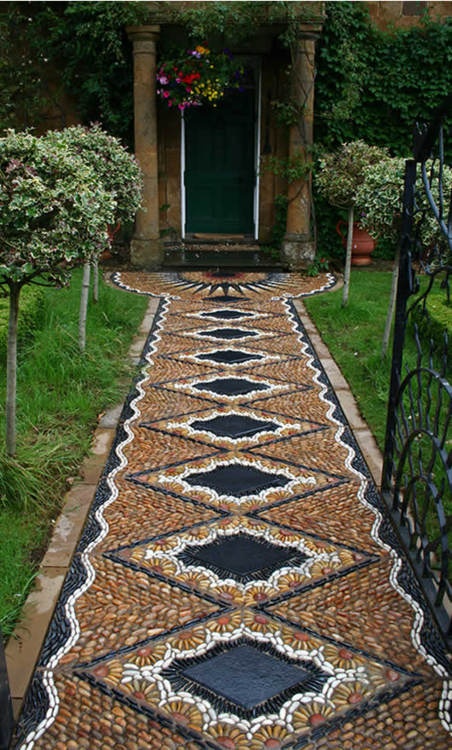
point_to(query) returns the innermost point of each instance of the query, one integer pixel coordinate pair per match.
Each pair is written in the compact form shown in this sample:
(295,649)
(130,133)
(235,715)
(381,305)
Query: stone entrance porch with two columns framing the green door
(215,174)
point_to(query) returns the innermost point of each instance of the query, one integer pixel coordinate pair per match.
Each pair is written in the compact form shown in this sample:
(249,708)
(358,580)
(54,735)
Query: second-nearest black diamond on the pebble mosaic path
(242,557)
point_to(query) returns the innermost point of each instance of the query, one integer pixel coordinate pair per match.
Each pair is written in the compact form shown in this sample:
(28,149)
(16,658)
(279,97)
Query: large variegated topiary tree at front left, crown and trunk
(53,215)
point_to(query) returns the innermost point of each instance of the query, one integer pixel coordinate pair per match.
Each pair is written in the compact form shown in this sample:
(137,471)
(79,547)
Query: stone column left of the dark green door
(146,249)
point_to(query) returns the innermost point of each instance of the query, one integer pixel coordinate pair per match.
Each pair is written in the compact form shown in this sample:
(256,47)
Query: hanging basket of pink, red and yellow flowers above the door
(198,76)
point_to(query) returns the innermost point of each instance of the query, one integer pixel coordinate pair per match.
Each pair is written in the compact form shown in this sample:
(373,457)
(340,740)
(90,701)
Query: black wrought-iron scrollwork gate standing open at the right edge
(417,470)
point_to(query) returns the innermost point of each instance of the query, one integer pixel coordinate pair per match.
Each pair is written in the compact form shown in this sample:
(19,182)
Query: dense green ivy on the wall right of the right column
(374,85)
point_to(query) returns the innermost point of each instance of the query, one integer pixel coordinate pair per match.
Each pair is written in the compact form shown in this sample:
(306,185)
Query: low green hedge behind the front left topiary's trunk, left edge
(30,318)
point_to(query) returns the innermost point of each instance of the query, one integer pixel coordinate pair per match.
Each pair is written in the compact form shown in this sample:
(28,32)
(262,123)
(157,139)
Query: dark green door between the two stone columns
(219,167)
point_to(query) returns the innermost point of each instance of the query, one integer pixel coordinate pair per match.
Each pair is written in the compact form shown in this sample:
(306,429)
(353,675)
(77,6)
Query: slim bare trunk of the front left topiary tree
(11,370)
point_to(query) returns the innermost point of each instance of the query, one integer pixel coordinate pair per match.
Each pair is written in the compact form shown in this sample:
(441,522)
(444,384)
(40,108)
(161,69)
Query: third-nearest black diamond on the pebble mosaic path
(236,479)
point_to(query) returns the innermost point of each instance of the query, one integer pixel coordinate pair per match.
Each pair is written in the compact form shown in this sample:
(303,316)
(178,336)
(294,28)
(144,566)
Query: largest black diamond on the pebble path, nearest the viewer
(245,678)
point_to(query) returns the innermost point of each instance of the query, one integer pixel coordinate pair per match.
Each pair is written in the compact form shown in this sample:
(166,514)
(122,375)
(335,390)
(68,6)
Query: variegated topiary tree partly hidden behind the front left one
(119,174)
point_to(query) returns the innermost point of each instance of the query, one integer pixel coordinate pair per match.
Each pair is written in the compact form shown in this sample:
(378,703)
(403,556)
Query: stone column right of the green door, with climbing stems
(298,248)
